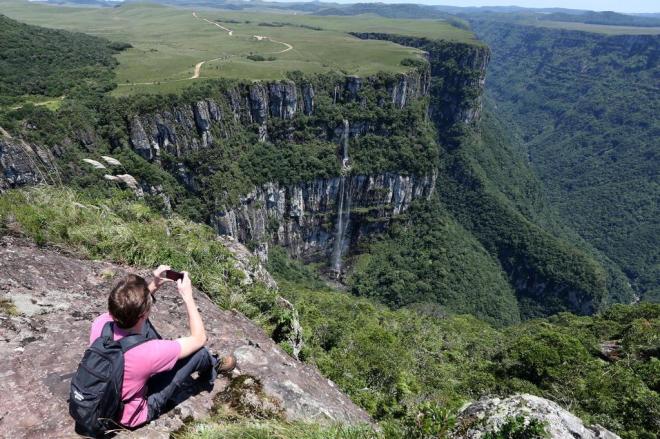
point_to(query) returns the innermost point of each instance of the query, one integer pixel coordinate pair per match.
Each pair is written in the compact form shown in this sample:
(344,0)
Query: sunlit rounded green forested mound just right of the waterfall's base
(433,265)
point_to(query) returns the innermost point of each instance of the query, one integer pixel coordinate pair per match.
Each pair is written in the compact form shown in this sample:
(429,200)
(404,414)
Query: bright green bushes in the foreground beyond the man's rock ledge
(388,361)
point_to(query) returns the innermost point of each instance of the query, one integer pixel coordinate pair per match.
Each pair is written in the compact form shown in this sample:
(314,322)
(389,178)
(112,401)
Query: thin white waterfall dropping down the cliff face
(343,204)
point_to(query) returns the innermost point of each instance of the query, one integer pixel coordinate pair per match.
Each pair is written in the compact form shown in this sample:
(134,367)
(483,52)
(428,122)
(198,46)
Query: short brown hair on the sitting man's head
(129,300)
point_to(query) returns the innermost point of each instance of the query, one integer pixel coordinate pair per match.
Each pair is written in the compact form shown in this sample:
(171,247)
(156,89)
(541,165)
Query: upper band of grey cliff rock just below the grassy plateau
(189,127)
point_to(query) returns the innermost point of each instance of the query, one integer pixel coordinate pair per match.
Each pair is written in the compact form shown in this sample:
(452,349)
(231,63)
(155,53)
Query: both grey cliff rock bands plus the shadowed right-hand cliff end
(323,217)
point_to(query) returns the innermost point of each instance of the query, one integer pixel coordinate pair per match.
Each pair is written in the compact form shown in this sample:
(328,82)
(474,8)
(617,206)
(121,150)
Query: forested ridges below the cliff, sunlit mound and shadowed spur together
(490,245)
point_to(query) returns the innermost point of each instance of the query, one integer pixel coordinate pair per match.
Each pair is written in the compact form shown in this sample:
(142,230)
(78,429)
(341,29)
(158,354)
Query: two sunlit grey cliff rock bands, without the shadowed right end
(312,219)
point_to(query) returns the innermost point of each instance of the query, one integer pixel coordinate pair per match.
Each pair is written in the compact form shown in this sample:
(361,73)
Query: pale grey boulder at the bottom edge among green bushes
(489,415)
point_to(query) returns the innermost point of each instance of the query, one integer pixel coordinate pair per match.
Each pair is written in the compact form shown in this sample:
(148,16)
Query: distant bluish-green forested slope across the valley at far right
(586,106)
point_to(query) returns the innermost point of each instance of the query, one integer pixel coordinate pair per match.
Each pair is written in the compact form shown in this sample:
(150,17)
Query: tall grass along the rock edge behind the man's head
(123,230)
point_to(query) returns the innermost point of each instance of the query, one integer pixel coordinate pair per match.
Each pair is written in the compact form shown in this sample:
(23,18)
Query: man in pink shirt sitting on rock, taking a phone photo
(155,370)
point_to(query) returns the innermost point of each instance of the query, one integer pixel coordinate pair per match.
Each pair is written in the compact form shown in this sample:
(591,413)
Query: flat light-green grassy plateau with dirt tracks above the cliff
(168,42)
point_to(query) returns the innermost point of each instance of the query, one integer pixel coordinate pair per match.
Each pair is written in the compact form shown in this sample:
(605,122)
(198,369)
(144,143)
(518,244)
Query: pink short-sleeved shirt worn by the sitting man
(140,364)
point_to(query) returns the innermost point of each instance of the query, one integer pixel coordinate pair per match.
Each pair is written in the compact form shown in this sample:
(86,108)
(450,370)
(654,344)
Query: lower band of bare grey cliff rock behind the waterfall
(302,217)
